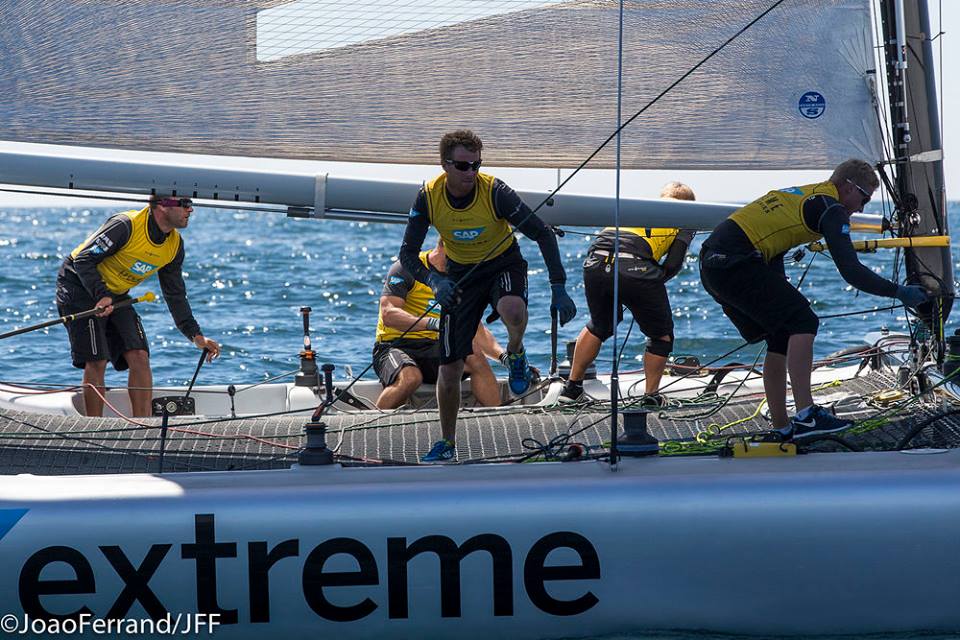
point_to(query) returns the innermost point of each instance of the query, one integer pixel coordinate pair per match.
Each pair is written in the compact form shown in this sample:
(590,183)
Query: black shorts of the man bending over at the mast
(759,300)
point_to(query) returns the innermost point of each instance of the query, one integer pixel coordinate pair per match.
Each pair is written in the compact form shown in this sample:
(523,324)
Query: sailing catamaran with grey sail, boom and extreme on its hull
(577,542)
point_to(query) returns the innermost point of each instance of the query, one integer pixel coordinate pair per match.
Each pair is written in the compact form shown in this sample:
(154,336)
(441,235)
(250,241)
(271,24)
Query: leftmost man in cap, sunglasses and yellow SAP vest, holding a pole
(126,250)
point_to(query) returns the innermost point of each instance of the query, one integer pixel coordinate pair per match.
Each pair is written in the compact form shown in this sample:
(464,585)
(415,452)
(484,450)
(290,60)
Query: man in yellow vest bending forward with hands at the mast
(741,267)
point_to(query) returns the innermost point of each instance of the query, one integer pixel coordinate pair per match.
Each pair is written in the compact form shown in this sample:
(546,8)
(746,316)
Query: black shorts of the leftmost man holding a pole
(94,339)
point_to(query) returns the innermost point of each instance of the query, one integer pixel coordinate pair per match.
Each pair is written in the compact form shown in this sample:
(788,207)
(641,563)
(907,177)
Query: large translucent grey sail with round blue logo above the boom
(537,80)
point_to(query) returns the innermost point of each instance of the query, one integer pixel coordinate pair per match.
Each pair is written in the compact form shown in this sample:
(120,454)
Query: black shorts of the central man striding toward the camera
(505,275)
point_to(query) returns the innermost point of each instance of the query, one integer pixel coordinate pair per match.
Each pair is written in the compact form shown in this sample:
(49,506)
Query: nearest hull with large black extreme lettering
(828,543)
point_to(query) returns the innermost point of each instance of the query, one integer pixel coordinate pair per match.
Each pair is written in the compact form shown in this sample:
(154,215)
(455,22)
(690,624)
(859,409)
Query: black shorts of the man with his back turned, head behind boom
(641,290)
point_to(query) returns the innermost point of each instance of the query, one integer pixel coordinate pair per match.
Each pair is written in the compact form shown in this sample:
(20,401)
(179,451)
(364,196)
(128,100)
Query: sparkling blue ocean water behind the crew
(248,274)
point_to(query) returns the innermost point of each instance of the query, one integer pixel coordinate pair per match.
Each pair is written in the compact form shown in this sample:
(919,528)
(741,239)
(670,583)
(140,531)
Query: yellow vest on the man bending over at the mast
(774,223)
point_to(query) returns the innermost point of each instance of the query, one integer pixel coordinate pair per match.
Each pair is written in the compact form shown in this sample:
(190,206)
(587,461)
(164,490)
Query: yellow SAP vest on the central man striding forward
(470,233)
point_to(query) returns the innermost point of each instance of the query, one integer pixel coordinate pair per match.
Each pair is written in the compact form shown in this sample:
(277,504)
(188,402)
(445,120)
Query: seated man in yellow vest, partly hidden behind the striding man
(406,353)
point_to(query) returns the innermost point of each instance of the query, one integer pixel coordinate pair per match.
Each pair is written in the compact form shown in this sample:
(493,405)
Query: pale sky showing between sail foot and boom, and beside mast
(711,186)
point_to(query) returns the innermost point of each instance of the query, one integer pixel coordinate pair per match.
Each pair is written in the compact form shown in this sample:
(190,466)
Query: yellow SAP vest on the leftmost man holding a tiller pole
(138,259)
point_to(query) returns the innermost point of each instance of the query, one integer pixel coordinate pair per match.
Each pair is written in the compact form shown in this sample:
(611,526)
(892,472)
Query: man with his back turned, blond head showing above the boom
(642,290)
